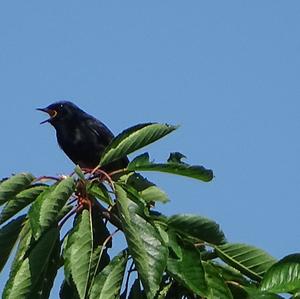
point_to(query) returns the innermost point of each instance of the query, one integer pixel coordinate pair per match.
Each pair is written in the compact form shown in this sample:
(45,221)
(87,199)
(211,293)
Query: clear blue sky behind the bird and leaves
(227,71)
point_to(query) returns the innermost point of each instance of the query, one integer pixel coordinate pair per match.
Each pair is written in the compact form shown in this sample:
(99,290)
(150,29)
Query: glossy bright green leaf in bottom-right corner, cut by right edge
(284,276)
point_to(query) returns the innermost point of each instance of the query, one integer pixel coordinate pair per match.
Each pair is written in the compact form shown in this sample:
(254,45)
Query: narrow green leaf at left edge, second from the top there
(20,201)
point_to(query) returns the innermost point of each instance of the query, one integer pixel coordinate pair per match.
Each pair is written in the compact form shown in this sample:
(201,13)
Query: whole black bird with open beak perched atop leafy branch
(81,136)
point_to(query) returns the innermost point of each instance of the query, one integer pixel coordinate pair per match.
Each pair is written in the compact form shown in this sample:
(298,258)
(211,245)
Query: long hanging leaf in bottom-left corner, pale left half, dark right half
(29,272)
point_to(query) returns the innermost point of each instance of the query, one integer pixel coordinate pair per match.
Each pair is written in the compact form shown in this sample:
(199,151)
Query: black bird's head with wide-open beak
(60,111)
